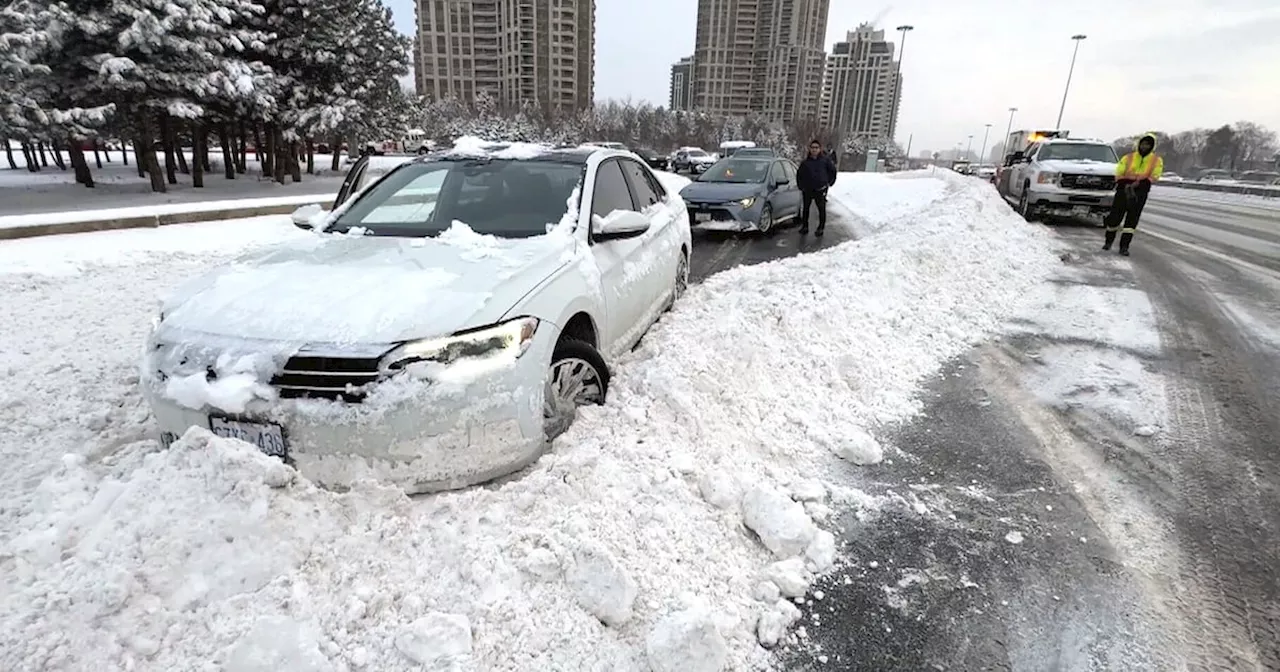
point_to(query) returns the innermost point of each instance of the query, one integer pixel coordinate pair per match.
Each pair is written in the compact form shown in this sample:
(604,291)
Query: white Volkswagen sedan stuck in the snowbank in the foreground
(438,328)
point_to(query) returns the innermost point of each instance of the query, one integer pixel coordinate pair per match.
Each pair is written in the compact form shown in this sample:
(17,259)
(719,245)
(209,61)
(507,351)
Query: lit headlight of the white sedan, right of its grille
(506,340)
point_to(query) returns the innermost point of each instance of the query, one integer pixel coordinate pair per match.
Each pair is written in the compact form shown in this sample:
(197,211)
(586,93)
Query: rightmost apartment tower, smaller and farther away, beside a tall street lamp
(861,85)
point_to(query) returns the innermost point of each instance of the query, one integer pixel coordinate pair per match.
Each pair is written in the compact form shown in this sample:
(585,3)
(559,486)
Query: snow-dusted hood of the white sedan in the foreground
(348,289)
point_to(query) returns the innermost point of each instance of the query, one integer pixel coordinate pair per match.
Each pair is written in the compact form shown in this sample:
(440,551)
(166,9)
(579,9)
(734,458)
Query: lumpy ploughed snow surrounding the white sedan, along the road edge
(666,532)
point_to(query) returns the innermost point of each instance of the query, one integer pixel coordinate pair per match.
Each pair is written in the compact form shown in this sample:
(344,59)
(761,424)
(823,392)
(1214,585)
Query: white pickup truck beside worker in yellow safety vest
(1064,177)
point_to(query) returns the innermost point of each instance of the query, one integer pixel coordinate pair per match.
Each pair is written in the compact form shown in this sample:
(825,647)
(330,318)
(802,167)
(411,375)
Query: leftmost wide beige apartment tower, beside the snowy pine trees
(518,51)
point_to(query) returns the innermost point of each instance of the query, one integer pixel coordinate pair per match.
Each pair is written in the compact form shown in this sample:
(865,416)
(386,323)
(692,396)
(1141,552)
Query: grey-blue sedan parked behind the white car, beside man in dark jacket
(744,195)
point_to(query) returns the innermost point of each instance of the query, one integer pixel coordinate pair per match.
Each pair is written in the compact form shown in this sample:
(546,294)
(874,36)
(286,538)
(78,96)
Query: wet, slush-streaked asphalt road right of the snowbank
(1148,556)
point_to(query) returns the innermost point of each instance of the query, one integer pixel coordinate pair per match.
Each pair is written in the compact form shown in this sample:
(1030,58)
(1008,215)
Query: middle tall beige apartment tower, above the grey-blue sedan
(761,57)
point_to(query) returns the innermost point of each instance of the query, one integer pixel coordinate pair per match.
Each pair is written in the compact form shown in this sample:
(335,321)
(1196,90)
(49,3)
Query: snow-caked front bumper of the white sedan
(420,436)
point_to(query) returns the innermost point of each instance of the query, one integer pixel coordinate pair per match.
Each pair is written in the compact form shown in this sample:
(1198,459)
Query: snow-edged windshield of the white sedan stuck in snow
(509,199)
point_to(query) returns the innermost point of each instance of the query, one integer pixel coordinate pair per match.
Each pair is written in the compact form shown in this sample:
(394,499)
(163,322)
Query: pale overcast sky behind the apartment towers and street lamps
(1167,66)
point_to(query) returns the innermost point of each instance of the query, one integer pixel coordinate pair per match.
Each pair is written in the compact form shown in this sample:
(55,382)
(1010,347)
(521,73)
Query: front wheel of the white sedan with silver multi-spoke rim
(578,377)
